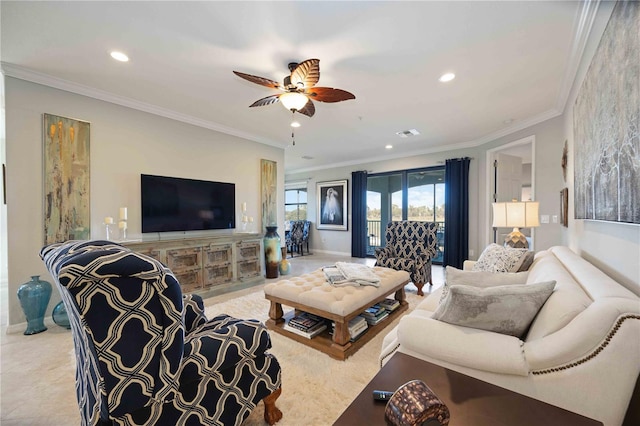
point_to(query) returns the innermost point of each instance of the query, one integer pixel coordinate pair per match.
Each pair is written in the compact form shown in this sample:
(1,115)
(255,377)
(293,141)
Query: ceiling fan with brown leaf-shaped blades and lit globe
(298,88)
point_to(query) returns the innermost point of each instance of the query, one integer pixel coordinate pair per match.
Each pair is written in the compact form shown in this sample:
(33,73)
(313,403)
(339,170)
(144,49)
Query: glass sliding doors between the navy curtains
(416,194)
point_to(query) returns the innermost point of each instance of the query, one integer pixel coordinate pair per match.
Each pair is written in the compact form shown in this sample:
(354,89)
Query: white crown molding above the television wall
(23,73)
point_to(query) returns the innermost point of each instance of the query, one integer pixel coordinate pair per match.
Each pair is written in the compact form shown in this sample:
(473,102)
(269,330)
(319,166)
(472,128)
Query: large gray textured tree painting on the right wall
(607,124)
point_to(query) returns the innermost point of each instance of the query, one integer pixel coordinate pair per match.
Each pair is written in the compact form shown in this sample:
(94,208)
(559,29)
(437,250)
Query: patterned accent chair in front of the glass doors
(409,246)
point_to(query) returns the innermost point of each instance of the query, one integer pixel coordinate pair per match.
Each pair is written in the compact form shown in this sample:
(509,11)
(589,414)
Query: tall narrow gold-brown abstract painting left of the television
(67,175)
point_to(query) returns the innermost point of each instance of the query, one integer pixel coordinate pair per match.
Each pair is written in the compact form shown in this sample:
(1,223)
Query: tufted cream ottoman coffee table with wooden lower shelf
(312,293)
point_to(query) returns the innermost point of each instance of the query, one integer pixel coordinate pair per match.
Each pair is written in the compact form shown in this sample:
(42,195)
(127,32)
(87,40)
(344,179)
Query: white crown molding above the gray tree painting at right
(582,26)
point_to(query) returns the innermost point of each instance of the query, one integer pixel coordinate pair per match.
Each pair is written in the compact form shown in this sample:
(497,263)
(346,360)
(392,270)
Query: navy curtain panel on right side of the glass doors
(456,214)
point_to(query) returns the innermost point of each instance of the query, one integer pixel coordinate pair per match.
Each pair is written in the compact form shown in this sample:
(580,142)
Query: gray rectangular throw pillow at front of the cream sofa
(504,309)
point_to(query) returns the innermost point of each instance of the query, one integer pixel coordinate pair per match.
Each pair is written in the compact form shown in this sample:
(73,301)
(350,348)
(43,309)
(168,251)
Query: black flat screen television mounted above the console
(176,204)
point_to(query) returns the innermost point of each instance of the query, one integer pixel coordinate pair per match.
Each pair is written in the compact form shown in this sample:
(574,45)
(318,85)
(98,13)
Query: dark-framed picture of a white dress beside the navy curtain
(332,205)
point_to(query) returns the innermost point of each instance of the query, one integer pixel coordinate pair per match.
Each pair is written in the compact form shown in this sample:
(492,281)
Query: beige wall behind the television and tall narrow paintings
(124,144)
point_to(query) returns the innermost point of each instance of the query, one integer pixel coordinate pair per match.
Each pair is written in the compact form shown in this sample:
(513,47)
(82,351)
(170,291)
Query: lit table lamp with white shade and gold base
(516,214)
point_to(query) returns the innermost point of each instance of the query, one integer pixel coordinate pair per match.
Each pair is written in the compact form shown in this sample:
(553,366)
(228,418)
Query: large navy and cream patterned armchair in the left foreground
(146,354)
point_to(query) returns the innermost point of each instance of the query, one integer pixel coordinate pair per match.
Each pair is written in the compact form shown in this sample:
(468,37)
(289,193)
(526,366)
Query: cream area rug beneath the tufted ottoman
(316,389)
